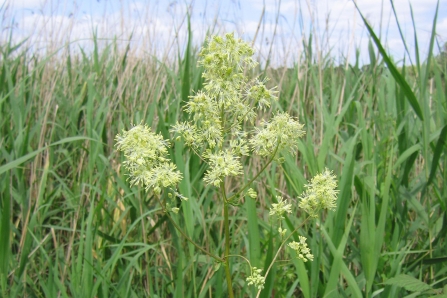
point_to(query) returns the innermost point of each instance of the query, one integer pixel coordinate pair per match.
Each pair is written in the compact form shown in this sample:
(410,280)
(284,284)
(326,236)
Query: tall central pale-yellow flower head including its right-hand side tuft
(228,100)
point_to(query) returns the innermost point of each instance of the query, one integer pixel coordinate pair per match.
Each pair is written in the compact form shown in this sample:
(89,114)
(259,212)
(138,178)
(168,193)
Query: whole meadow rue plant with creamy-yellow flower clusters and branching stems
(221,130)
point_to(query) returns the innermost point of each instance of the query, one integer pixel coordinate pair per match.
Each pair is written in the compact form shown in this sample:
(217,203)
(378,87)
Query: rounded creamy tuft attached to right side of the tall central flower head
(281,133)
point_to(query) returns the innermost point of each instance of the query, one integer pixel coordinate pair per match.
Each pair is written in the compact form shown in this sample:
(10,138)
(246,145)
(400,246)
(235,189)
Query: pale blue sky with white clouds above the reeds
(277,29)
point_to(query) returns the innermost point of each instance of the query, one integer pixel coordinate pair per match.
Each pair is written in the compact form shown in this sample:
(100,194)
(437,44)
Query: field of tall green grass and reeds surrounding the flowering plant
(70,225)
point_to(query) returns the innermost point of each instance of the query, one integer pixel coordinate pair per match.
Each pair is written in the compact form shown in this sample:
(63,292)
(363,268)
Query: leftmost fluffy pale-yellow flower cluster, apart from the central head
(146,158)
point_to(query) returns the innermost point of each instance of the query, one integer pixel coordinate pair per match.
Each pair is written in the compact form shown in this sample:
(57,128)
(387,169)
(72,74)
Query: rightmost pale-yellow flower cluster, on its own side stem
(321,194)
